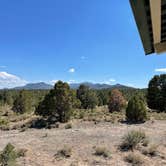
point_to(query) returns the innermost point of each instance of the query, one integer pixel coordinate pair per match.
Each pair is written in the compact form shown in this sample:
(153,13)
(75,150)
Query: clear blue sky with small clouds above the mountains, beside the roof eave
(74,41)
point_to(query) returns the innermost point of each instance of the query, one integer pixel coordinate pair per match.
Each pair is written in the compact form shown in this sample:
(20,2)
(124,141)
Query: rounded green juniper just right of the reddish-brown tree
(136,110)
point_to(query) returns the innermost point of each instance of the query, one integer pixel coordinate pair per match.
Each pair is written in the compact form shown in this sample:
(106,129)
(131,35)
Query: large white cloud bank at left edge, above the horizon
(9,80)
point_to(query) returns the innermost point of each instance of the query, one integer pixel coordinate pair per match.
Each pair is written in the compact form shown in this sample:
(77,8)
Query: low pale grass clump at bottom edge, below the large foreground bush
(134,159)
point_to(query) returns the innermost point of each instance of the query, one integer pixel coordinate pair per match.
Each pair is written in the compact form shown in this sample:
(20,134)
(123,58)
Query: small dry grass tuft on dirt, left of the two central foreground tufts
(66,152)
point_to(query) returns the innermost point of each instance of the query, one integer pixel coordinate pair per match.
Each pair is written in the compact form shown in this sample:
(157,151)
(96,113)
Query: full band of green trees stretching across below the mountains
(61,100)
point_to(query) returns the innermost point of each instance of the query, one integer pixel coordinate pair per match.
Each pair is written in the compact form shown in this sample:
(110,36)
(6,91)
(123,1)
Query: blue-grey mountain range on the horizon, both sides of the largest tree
(42,85)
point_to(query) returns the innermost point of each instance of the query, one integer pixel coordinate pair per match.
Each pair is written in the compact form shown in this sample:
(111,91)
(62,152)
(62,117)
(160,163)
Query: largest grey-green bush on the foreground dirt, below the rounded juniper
(132,139)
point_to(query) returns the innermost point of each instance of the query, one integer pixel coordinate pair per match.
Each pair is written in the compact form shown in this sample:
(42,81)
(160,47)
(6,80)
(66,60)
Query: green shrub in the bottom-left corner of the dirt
(8,156)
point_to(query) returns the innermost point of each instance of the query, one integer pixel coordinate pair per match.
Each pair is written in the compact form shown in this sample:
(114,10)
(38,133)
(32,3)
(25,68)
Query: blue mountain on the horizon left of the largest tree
(36,86)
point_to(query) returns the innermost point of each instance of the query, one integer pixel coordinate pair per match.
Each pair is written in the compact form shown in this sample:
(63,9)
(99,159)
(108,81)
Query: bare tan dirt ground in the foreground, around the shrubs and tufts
(82,138)
